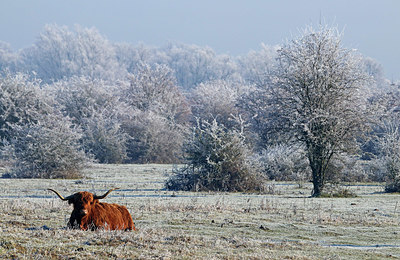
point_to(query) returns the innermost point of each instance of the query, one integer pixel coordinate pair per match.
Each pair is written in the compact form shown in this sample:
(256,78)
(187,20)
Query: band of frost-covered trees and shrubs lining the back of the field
(74,96)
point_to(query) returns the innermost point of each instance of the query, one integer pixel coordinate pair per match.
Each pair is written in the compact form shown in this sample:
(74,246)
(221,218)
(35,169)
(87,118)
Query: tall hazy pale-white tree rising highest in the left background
(60,53)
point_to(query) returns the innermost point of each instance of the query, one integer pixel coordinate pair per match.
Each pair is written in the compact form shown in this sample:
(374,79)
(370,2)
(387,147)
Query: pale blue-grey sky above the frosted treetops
(228,26)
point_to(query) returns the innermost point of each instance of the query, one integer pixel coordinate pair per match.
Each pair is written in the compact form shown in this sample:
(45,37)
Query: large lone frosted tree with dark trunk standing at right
(316,99)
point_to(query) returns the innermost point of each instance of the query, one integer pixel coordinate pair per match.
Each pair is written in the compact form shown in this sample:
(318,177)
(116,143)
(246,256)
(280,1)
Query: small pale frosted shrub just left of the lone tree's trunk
(285,163)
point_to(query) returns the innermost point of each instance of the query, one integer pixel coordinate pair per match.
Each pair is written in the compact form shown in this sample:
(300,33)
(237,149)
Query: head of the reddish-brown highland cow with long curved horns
(82,201)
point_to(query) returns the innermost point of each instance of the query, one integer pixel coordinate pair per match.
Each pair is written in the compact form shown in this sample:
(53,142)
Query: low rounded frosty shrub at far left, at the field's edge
(48,149)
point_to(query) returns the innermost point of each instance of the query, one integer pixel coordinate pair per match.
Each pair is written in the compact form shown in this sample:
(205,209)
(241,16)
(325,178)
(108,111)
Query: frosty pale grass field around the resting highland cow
(285,223)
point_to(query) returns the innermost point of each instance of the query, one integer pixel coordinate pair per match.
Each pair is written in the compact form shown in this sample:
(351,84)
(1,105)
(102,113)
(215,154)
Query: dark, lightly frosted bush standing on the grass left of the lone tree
(218,160)
